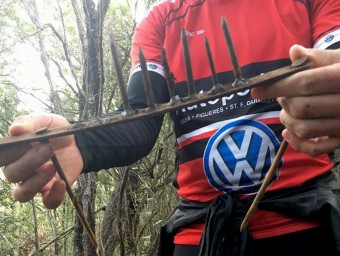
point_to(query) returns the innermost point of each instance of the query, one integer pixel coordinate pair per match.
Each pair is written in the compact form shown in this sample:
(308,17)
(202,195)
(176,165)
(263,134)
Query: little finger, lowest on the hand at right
(312,147)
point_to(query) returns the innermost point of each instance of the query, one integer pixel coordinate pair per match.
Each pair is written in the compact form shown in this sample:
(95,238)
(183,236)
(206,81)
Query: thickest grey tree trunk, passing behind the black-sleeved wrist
(90,107)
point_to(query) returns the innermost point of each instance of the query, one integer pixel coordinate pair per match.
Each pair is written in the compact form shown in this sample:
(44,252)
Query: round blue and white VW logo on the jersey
(238,156)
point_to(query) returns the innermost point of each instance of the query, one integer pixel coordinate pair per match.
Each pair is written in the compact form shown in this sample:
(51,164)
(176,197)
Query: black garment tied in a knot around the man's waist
(318,199)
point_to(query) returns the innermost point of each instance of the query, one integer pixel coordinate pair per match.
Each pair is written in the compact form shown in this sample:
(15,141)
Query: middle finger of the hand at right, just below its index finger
(321,106)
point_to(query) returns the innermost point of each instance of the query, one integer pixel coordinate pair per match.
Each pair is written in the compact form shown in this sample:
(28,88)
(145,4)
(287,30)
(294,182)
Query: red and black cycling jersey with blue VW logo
(227,145)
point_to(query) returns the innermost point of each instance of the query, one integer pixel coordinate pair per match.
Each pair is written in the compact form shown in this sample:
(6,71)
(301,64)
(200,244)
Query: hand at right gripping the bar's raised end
(310,102)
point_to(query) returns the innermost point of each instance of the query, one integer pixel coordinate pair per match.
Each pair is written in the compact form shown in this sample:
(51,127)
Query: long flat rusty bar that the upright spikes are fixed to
(262,80)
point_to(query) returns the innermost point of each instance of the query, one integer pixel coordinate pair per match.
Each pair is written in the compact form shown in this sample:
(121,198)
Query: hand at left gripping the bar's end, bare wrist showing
(30,167)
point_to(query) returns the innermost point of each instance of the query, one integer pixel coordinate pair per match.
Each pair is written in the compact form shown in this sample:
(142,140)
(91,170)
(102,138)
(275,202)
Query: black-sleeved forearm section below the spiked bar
(120,145)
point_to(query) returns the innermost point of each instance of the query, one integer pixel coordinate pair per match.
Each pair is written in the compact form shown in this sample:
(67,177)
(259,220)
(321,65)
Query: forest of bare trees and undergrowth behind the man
(55,57)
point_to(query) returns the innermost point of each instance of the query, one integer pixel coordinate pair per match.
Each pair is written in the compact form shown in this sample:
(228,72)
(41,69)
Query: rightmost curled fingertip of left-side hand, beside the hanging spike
(53,197)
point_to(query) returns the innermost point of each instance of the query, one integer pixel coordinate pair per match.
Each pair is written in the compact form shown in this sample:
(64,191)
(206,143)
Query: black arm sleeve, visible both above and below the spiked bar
(124,144)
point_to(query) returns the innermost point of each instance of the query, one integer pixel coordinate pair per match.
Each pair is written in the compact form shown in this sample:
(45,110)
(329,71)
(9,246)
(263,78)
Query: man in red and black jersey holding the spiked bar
(224,147)
